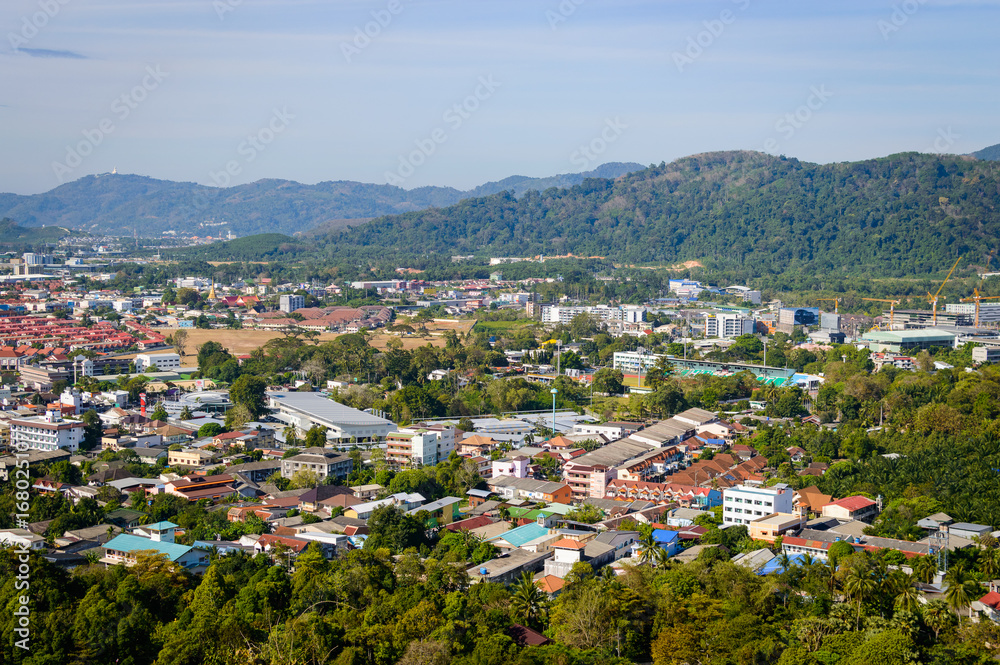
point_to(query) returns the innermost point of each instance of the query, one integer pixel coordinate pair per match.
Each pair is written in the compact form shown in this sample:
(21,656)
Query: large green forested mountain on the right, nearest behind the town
(906,214)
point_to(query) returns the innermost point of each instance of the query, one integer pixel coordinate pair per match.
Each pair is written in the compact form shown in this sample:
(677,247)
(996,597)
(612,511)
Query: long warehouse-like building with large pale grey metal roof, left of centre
(304,410)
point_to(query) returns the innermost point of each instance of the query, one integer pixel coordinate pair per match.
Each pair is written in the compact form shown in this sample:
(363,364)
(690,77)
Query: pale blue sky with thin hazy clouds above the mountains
(449,93)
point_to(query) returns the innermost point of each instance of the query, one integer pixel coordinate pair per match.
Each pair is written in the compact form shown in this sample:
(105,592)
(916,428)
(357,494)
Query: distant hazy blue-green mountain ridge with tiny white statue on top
(124,204)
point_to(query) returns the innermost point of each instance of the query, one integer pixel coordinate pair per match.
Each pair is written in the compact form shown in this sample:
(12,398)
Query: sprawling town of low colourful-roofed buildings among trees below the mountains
(524,443)
